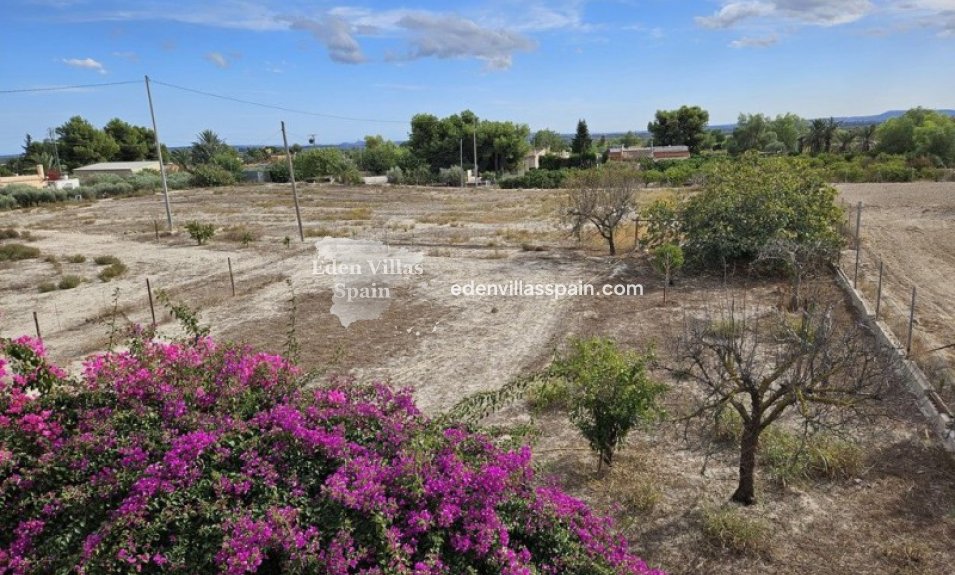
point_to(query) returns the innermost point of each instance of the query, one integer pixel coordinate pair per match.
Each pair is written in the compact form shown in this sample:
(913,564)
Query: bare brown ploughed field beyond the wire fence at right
(911,228)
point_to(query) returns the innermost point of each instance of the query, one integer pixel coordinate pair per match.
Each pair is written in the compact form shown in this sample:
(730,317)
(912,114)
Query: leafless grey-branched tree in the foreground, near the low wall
(806,366)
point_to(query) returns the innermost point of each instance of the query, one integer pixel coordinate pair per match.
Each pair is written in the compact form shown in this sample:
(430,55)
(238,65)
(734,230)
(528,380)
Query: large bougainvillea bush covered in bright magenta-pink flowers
(200,458)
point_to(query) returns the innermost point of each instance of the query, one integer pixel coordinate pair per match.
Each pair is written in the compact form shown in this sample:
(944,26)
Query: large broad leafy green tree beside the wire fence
(746,203)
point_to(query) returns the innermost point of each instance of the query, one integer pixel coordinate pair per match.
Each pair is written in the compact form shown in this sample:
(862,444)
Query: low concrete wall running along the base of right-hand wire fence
(927,399)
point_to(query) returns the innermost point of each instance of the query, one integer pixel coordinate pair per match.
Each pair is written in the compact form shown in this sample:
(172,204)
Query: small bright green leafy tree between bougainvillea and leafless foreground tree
(611,392)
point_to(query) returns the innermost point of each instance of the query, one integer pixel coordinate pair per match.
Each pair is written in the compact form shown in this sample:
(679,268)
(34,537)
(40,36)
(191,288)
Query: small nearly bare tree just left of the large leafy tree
(602,197)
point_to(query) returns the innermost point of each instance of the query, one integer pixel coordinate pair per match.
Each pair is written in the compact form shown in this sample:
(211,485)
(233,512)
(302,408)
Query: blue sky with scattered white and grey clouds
(365,67)
